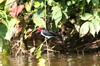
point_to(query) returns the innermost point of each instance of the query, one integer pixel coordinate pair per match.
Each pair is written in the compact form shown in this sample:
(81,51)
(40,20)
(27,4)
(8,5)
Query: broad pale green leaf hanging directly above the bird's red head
(38,17)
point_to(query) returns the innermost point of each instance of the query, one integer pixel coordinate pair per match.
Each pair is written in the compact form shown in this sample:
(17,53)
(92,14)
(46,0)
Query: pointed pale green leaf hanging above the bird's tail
(56,14)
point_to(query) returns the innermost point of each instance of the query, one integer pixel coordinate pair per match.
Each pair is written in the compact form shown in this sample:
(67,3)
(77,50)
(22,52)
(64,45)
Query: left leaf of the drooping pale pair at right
(84,29)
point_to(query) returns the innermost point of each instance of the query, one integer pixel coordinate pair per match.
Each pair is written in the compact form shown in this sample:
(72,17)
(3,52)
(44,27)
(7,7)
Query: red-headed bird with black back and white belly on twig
(49,34)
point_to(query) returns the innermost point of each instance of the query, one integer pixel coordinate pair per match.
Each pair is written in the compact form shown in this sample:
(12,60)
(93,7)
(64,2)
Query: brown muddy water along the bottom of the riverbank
(54,60)
